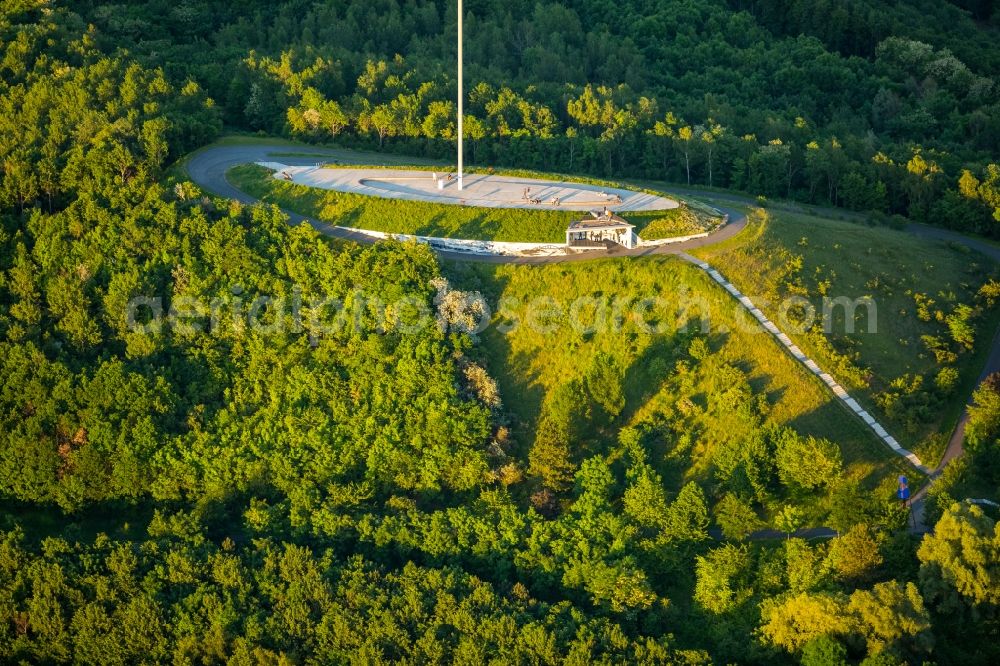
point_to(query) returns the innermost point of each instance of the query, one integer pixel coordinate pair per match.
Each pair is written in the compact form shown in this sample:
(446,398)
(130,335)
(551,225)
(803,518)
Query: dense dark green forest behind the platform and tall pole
(890,107)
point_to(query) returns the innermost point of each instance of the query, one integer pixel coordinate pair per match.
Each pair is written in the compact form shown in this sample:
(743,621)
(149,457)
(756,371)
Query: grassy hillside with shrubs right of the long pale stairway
(932,320)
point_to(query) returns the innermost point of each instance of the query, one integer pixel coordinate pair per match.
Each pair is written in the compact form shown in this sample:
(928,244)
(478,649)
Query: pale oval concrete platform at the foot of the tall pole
(490,191)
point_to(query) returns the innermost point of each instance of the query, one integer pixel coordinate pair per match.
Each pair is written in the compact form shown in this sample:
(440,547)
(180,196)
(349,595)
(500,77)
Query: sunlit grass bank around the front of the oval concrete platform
(430,219)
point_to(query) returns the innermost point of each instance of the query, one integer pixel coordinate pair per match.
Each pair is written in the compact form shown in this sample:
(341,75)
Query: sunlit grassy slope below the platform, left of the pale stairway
(567,323)
